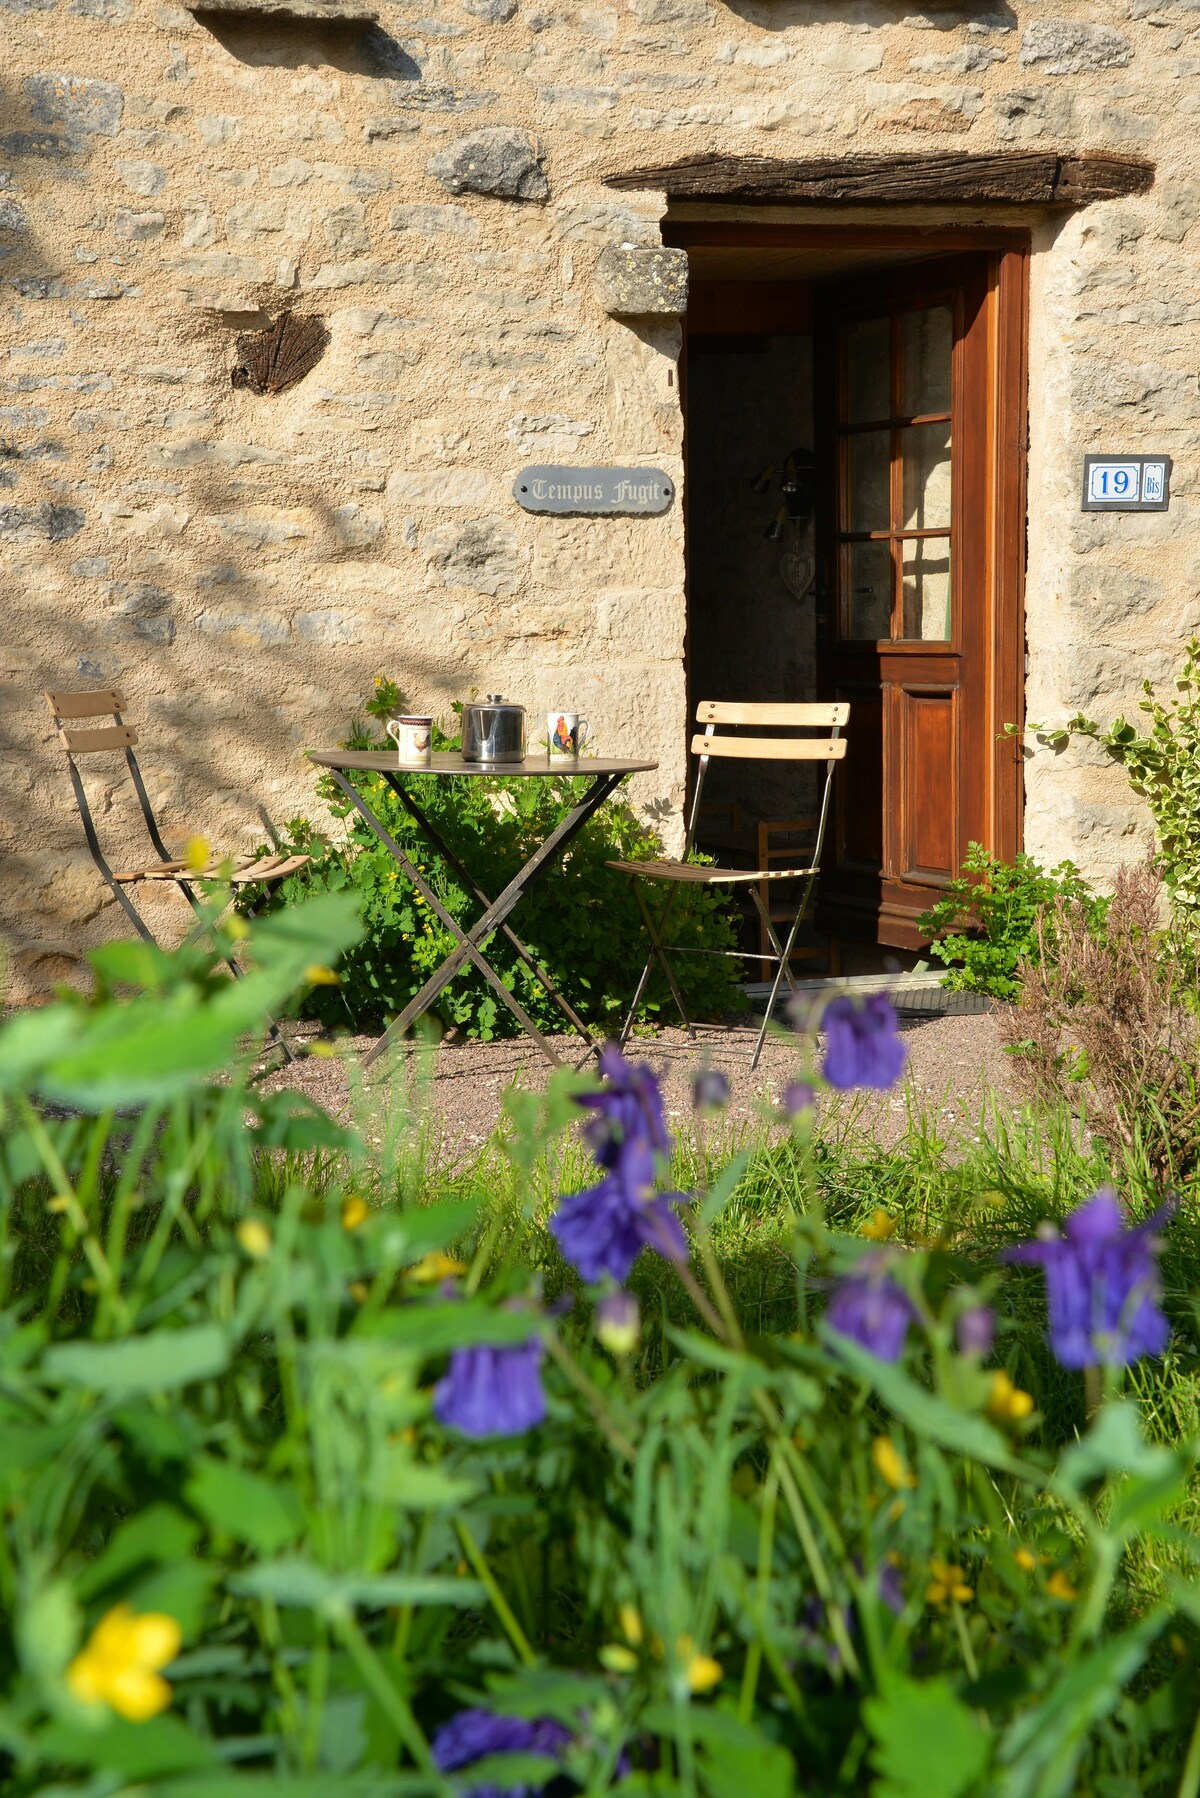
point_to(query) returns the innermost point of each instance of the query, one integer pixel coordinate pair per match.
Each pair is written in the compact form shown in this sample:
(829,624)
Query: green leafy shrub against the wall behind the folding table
(580,921)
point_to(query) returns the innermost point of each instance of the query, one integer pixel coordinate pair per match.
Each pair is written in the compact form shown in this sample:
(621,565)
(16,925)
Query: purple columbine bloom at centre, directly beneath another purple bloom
(605,1229)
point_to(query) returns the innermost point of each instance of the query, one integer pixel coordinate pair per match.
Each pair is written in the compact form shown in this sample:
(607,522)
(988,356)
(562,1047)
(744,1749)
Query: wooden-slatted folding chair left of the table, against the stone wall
(235,871)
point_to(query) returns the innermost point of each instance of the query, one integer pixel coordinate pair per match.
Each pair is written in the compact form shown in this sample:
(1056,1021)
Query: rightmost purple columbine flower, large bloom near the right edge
(1102,1285)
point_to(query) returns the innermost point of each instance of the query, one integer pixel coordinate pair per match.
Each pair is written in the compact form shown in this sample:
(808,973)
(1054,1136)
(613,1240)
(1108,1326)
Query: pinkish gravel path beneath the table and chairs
(953,1065)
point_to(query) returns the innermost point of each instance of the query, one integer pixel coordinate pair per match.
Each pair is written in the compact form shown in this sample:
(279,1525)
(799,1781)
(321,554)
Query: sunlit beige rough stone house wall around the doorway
(244,565)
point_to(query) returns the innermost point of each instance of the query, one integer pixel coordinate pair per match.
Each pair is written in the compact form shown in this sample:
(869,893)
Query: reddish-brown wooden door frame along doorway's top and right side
(1007,450)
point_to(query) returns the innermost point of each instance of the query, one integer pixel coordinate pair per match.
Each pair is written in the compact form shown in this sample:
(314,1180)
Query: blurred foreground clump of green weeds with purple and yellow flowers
(303,1493)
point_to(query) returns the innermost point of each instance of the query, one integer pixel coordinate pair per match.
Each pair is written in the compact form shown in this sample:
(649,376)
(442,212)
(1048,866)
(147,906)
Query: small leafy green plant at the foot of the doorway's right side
(987,921)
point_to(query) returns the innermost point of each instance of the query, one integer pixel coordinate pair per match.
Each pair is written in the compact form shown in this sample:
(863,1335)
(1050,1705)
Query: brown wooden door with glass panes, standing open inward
(906,432)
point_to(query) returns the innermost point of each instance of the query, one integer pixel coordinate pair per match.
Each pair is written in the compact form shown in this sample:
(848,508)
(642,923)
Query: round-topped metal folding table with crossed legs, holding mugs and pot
(604,776)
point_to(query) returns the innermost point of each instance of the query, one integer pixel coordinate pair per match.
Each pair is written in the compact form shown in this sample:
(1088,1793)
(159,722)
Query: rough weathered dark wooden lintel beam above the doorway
(1017,179)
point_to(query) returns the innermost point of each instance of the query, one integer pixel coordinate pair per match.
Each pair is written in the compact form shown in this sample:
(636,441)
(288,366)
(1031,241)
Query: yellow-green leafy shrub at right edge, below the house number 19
(1163,765)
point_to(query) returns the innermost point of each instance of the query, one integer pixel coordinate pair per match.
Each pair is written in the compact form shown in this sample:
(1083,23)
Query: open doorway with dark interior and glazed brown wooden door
(855,497)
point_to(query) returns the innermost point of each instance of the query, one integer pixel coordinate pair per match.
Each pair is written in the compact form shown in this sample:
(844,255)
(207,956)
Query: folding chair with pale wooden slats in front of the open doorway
(823,745)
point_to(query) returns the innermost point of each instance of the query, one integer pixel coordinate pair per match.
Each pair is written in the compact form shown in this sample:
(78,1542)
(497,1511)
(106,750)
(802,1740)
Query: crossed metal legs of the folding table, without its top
(496,911)
